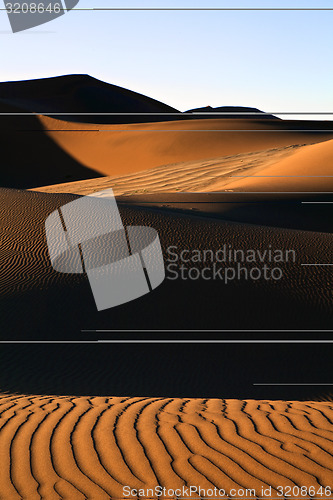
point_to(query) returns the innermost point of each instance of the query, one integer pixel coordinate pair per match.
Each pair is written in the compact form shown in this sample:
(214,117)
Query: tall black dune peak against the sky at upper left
(83,94)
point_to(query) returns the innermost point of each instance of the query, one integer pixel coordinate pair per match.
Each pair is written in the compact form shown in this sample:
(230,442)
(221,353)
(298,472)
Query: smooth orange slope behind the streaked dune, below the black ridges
(123,149)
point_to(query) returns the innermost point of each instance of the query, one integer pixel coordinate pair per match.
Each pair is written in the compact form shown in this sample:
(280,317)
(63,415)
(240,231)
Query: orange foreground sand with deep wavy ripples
(55,447)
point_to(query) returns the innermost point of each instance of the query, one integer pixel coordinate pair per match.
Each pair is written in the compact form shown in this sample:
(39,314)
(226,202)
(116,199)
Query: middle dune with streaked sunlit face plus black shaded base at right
(284,187)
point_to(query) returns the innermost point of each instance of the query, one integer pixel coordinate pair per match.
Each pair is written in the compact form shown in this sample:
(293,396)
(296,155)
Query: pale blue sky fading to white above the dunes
(277,61)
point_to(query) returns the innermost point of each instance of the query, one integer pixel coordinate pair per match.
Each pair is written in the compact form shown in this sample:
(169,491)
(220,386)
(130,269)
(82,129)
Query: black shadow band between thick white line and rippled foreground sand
(167,370)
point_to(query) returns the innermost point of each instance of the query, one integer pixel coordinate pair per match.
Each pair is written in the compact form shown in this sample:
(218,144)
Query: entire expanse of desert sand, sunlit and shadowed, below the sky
(177,414)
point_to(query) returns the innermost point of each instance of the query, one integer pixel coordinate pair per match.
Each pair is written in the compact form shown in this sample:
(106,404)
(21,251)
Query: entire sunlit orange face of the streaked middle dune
(289,168)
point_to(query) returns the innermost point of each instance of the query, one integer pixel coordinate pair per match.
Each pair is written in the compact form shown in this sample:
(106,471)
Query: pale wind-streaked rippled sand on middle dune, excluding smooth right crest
(191,176)
